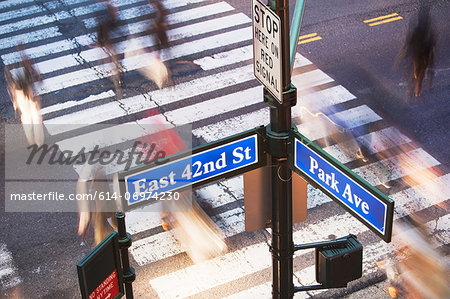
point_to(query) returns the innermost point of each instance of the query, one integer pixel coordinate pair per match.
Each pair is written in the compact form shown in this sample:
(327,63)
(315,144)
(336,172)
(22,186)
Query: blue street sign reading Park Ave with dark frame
(364,201)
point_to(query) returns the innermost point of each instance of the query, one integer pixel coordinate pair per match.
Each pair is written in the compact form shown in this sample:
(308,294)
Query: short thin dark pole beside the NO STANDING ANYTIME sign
(124,243)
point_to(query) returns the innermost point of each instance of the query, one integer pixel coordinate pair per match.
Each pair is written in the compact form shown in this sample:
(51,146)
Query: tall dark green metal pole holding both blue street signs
(278,136)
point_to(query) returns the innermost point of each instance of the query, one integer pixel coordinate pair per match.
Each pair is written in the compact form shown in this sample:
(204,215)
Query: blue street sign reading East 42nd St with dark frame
(225,158)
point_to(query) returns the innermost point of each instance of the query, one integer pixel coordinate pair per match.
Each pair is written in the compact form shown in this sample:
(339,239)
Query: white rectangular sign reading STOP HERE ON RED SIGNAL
(267,48)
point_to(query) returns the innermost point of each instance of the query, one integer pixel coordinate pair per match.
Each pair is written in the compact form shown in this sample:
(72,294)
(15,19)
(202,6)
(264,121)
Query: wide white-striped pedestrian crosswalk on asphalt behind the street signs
(220,99)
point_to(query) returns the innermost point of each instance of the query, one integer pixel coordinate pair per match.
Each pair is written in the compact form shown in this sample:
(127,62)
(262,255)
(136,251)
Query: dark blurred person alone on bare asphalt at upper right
(420,46)
